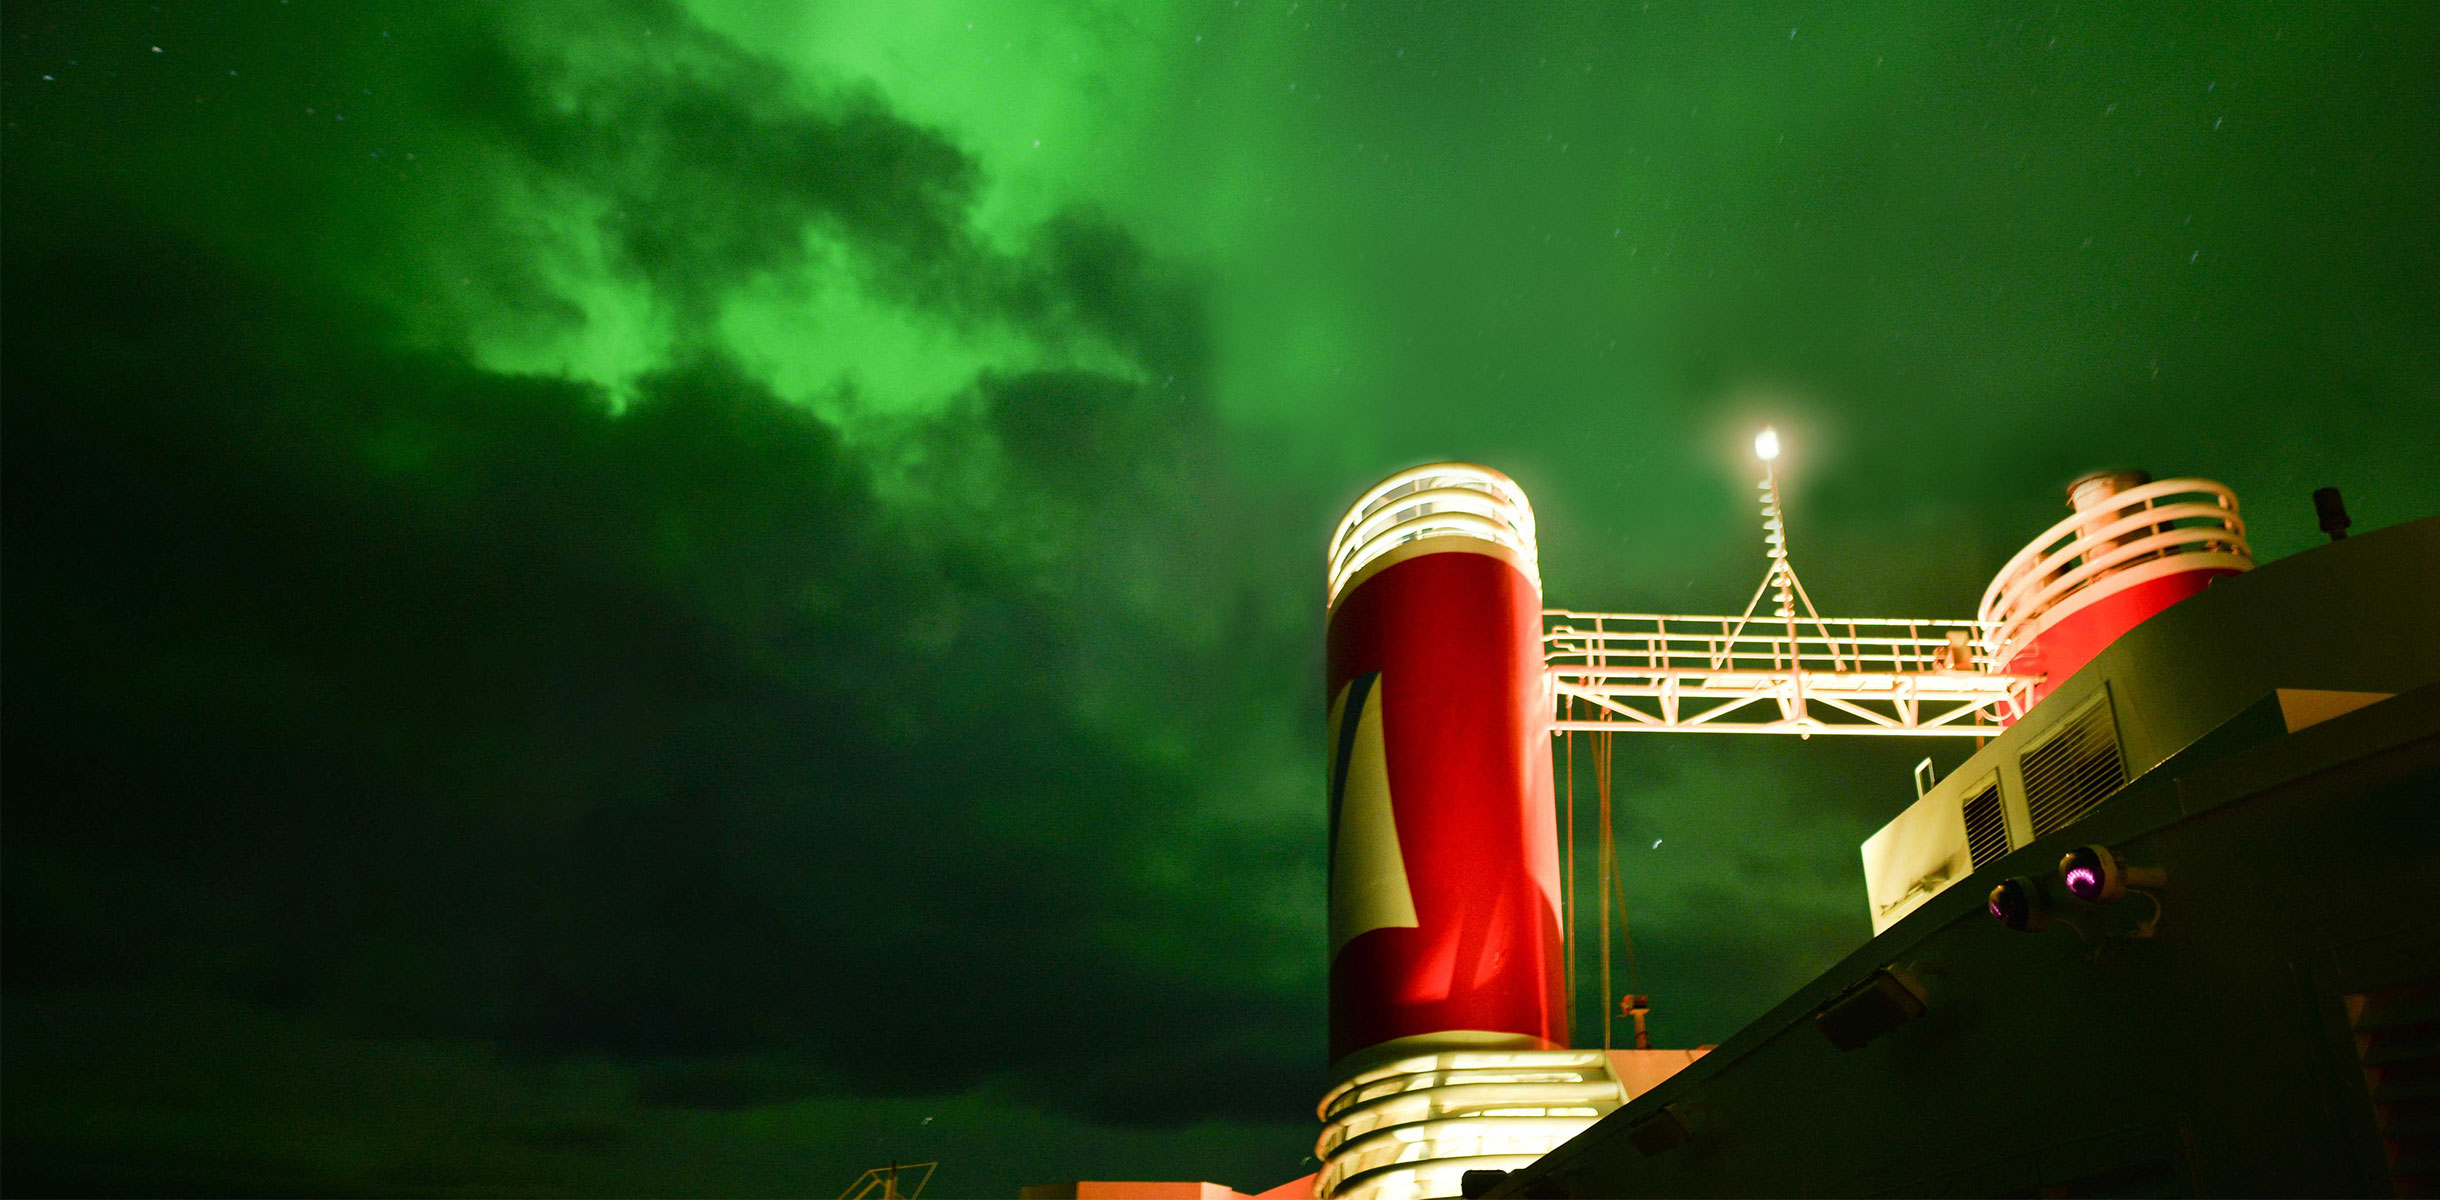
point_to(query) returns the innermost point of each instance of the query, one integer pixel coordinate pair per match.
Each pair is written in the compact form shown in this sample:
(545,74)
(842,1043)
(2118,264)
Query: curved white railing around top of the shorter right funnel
(2139,526)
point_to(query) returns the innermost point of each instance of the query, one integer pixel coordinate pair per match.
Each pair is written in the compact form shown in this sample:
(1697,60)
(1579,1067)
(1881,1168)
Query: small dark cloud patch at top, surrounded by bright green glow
(709,162)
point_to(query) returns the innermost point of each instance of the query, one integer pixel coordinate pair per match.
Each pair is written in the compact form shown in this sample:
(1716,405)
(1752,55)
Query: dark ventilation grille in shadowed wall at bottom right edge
(2397,1038)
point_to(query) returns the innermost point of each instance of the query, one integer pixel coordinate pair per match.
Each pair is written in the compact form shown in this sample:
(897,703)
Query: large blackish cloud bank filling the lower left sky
(482,711)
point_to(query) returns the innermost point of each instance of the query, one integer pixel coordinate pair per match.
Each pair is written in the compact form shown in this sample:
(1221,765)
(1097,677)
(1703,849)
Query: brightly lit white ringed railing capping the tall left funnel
(1433,501)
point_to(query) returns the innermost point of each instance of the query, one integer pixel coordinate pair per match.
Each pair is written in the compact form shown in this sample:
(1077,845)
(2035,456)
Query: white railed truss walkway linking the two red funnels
(1880,677)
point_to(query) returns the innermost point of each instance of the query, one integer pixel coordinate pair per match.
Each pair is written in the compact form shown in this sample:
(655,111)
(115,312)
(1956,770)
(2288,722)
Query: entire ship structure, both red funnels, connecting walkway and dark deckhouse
(2129,677)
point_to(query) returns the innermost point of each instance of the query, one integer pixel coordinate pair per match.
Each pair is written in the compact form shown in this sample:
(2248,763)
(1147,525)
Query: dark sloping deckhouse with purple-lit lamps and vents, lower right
(2173,933)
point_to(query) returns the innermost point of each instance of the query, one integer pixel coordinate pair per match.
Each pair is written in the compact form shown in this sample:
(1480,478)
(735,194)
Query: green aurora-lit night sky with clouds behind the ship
(699,596)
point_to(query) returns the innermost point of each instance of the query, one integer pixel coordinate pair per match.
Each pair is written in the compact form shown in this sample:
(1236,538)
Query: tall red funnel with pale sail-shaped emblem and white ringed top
(1443,830)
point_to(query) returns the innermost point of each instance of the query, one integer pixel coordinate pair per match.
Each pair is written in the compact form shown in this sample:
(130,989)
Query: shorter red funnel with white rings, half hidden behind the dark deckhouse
(2131,550)
